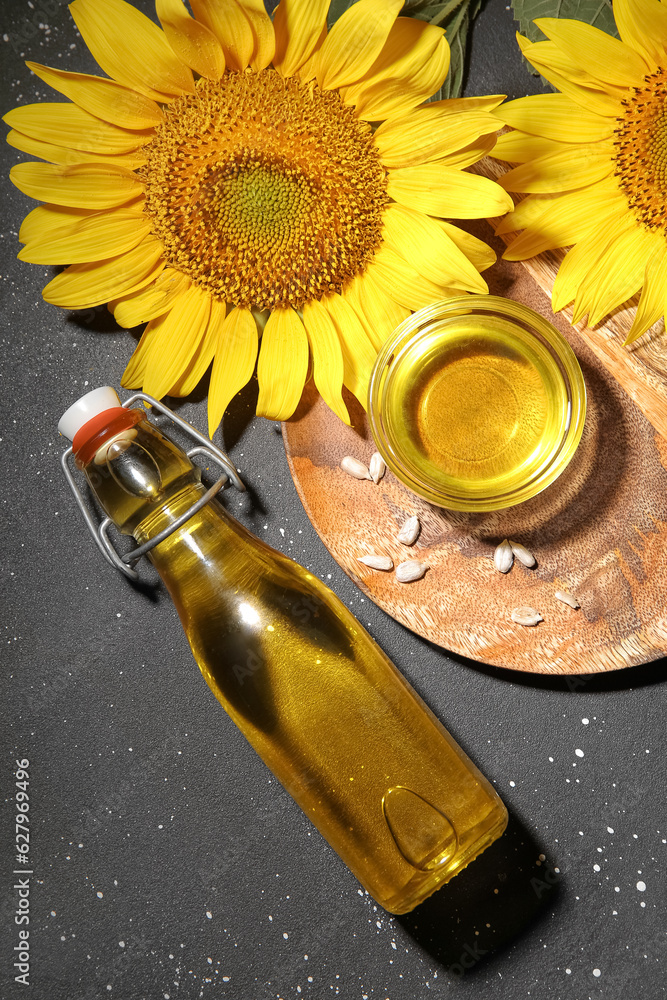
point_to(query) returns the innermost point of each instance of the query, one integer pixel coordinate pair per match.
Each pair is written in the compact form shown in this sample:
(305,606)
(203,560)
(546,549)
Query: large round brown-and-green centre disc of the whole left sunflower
(268,192)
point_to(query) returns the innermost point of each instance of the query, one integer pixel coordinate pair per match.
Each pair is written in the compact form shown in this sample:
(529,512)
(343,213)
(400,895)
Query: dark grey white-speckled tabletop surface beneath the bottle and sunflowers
(168,863)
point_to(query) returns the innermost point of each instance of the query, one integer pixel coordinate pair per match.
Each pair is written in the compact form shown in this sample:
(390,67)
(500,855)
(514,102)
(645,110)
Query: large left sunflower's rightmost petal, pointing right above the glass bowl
(439,190)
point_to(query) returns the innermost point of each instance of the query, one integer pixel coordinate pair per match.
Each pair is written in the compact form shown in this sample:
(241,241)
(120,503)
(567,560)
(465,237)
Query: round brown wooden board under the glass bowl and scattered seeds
(599,532)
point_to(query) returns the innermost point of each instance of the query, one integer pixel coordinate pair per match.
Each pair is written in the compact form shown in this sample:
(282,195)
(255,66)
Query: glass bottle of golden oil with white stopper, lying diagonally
(319,701)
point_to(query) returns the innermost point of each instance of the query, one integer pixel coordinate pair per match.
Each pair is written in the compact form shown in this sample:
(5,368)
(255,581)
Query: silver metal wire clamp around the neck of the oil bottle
(125,564)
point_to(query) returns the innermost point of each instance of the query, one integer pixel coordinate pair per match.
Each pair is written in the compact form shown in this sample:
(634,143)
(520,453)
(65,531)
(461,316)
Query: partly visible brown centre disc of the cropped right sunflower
(641,151)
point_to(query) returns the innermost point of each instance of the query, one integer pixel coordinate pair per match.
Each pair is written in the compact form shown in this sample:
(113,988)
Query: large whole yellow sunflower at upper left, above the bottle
(260,192)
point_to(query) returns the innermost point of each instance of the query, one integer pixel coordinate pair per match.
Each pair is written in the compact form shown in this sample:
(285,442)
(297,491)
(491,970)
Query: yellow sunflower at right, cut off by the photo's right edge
(593,162)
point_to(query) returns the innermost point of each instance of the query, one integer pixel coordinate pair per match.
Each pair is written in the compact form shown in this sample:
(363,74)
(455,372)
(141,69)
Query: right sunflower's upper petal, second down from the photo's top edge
(604,56)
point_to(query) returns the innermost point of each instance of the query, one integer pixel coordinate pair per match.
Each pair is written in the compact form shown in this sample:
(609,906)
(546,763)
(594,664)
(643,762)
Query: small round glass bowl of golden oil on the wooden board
(476,403)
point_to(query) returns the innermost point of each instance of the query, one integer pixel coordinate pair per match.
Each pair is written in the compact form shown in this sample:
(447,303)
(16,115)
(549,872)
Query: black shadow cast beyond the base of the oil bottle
(511,888)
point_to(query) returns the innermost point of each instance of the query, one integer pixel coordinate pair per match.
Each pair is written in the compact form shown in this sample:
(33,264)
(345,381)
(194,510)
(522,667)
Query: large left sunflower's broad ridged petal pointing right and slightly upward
(419,137)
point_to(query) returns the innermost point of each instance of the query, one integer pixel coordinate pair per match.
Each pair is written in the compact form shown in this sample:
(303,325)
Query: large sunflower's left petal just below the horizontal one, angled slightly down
(96,238)
